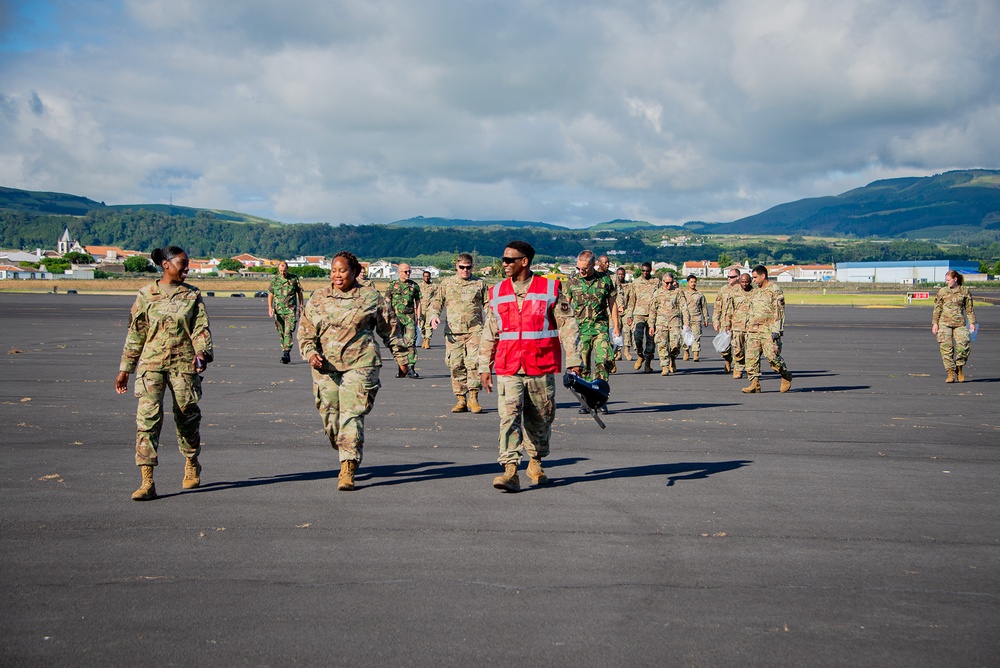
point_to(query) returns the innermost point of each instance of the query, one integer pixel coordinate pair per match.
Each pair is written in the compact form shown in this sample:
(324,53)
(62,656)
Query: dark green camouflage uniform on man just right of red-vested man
(592,298)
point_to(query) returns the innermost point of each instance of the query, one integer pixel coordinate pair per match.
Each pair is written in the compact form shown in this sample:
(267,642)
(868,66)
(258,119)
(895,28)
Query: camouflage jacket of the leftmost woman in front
(166,332)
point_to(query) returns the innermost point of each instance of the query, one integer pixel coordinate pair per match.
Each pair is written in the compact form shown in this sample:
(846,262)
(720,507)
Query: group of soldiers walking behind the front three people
(649,317)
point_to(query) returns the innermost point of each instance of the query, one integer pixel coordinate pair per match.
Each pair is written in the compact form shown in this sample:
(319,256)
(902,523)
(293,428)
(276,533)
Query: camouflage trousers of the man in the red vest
(527,407)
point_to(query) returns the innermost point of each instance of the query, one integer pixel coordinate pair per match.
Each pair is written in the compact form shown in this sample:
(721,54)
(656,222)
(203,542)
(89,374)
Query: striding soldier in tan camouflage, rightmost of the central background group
(764,330)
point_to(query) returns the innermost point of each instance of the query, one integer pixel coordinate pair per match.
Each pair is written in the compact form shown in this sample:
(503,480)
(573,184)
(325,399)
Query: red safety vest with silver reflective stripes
(528,337)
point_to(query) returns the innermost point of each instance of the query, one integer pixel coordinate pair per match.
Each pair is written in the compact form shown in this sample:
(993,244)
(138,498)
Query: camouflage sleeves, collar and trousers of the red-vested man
(527,404)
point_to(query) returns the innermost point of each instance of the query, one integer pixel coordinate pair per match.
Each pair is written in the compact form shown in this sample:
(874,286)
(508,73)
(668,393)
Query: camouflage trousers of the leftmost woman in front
(150,386)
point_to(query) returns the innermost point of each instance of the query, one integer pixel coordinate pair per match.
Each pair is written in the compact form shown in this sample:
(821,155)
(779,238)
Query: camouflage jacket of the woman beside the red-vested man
(341,326)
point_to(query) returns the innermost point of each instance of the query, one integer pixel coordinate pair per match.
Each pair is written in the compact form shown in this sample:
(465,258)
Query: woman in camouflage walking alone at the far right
(953,319)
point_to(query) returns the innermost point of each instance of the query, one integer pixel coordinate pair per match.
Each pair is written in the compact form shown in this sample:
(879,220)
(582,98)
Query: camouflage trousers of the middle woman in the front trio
(343,399)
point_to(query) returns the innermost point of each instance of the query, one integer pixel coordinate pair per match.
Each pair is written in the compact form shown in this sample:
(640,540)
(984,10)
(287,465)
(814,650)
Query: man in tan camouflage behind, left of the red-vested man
(464,296)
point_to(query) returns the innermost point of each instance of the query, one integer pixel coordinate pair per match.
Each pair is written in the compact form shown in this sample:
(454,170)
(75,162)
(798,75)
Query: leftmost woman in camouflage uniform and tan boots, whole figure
(168,345)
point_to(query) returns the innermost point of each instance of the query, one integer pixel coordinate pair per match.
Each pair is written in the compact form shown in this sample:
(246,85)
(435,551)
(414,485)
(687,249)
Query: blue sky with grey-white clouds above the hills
(568,112)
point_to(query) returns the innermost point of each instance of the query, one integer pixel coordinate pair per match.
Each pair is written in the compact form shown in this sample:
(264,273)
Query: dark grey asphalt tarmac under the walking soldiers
(851,521)
